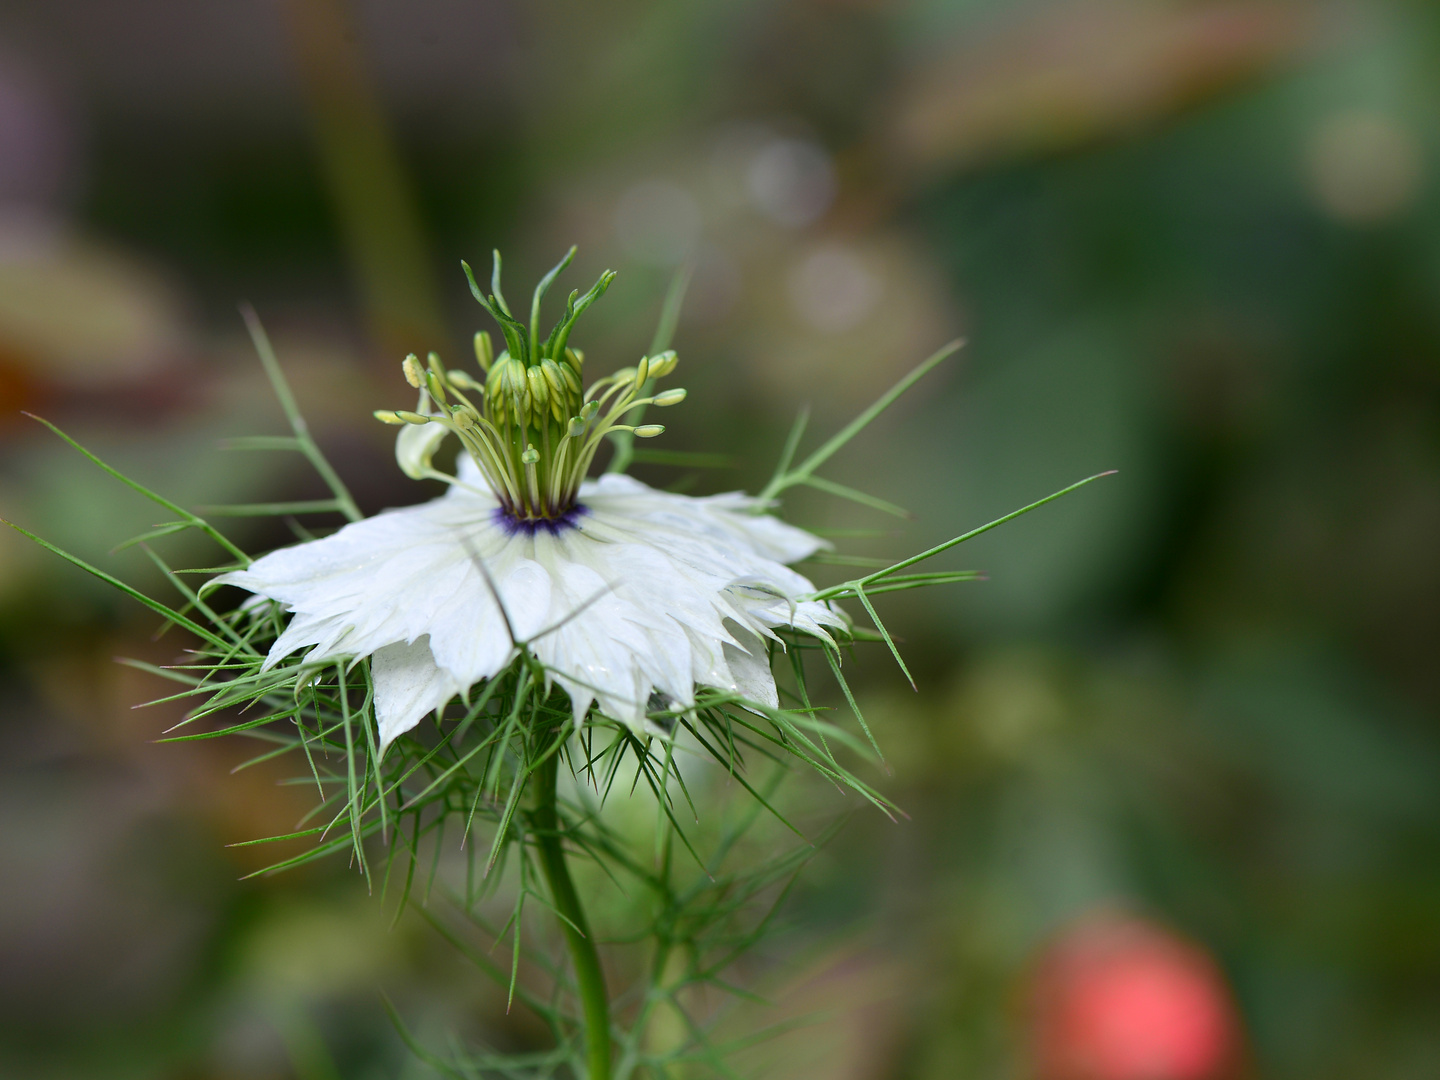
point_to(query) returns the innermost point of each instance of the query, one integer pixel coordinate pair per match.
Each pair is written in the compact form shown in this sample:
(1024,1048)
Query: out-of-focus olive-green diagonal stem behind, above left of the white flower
(366,179)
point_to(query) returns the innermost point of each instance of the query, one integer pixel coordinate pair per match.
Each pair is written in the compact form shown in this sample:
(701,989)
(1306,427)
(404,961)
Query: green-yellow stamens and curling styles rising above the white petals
(529,428)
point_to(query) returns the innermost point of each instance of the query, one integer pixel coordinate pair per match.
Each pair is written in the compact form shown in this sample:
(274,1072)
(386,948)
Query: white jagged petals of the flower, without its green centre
(631,593)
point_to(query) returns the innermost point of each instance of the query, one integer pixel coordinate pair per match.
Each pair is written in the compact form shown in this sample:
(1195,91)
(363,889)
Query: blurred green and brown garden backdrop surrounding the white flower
(1197,243)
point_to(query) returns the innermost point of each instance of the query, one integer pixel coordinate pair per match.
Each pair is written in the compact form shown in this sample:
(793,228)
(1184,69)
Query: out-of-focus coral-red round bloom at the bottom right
(1120,999)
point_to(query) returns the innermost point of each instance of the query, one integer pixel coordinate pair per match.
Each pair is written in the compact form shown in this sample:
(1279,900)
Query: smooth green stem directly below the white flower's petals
(587,961)
